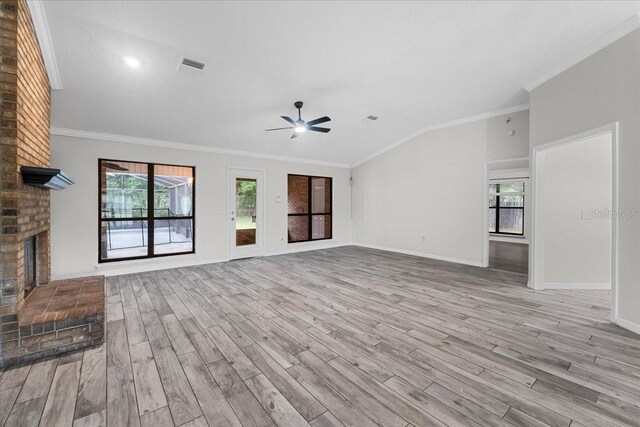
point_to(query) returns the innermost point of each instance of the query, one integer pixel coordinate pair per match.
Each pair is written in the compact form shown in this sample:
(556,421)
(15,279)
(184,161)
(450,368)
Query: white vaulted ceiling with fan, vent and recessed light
(414,64)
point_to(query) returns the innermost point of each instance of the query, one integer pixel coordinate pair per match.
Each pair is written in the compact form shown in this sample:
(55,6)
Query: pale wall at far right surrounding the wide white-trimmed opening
(602,89)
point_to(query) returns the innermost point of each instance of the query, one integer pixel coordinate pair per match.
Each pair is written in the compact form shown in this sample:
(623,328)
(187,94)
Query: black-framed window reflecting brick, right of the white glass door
(309,208)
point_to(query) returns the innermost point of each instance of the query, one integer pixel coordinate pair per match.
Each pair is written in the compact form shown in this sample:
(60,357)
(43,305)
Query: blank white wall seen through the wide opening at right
(574,190)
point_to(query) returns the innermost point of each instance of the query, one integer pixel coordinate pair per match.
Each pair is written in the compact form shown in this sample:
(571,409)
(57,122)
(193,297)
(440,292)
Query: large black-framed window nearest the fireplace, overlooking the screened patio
(146,210)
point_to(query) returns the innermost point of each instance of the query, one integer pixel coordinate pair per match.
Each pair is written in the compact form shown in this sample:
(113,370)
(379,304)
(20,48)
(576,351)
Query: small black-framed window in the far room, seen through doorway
(506,208)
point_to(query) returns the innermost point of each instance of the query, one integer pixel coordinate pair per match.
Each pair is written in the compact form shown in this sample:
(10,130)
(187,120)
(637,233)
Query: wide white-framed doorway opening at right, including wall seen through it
(575,214)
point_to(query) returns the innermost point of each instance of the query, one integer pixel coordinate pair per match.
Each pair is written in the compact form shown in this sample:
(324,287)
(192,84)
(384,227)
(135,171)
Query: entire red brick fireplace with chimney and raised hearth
(25,254)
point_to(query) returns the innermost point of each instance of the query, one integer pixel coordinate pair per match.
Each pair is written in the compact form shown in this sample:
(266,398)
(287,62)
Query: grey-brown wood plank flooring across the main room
(346,336)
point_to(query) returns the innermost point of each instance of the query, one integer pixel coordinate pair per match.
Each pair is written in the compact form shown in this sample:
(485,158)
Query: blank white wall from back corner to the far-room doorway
(433,186)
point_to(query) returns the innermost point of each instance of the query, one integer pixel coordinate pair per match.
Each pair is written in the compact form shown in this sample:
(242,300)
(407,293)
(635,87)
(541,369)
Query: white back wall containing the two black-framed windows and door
(74,211)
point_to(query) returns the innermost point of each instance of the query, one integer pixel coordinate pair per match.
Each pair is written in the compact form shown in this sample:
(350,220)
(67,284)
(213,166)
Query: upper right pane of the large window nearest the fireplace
(172,191)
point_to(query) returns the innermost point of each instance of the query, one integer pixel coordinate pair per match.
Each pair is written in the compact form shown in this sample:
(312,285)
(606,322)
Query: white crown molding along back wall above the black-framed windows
(99,136)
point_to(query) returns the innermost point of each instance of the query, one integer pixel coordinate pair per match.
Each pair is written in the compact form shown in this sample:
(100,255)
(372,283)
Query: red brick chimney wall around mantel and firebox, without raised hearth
(24,133)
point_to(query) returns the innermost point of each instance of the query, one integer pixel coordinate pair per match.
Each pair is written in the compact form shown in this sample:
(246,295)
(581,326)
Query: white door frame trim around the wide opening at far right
(534,240)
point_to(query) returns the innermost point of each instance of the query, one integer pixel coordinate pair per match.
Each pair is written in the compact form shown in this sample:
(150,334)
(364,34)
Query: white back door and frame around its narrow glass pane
(249,250)
